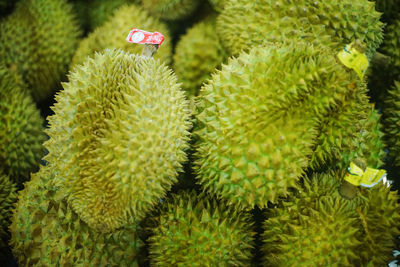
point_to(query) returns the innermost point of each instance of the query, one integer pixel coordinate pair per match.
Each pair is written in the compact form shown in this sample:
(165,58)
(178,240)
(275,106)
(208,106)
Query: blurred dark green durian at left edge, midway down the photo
(21,130)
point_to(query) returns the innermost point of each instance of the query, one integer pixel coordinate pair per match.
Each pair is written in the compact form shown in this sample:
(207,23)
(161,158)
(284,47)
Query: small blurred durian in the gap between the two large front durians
(198,54)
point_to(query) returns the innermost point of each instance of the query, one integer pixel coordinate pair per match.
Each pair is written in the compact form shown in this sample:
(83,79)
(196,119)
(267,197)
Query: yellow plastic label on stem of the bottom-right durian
(368,178)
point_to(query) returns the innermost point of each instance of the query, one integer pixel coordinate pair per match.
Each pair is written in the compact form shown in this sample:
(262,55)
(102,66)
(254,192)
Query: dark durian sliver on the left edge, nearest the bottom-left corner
(8,195)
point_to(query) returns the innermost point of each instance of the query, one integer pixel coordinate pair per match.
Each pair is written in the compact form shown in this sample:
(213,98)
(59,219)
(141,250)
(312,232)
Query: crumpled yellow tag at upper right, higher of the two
(353,59)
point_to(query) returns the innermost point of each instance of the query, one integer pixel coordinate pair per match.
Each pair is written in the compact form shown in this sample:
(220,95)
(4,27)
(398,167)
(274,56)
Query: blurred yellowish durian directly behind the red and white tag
(113,34)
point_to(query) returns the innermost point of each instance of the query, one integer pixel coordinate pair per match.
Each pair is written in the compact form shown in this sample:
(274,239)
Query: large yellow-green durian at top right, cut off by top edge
(243,23)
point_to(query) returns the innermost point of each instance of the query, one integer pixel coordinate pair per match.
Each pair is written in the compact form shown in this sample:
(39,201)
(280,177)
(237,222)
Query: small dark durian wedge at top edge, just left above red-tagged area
(99,11)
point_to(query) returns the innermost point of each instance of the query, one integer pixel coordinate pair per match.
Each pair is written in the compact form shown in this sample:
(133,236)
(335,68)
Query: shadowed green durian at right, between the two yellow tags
(350,131)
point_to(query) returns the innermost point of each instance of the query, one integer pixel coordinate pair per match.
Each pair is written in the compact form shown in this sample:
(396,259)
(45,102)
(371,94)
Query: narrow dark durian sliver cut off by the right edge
(391,122)
